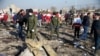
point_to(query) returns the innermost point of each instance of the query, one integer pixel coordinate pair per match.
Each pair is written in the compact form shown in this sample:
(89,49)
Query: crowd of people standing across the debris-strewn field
(30,20)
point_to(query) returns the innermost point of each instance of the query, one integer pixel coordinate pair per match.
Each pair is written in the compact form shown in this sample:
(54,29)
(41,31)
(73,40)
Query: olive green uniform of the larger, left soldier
(31,25)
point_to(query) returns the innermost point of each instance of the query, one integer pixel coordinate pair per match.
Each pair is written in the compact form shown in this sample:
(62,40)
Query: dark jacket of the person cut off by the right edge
(96,27)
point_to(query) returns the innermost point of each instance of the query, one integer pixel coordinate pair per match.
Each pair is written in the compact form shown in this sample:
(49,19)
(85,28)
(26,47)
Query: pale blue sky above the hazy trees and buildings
(48,3)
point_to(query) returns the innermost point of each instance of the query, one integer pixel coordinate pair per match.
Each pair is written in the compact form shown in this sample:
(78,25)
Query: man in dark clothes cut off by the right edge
(96,30)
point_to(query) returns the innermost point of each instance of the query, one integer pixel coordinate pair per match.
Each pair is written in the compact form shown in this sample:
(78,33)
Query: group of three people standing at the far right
(84,22)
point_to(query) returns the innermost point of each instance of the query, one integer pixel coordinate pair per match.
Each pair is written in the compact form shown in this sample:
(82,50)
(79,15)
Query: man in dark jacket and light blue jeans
(86,24)
